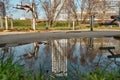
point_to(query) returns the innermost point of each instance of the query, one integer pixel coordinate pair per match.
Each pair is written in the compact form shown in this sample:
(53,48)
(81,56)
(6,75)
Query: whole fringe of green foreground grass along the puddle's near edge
(10,70)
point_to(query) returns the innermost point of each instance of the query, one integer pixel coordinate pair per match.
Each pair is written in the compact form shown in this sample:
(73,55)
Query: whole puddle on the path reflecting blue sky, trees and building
(66,56)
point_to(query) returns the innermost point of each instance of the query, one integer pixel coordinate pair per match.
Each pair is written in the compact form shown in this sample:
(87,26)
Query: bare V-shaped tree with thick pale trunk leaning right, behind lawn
(52,9)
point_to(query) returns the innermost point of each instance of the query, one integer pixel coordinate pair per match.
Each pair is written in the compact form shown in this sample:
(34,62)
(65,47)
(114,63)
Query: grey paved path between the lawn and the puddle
(28,37)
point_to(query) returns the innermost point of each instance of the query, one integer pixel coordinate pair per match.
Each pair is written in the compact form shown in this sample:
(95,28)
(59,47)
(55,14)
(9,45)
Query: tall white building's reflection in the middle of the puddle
(59,57)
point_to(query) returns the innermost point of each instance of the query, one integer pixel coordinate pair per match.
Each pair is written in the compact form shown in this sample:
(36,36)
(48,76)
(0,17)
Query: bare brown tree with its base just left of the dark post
(88,7)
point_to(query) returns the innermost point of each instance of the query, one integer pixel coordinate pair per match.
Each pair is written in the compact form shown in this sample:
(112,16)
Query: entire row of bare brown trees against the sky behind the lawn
(67,9)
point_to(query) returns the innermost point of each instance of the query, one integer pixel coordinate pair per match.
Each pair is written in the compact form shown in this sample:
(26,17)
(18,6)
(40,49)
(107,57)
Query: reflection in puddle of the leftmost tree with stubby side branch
(32,55)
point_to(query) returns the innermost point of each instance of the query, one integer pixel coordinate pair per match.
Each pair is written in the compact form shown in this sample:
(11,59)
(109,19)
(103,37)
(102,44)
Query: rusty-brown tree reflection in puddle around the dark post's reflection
(91,50)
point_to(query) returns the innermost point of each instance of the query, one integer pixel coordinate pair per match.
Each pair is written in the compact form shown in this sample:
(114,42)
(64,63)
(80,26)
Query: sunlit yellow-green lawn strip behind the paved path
(25,25)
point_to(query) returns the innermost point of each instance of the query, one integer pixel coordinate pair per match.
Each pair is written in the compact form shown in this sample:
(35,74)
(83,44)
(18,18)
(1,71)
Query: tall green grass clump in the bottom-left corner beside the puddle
(8,69)
